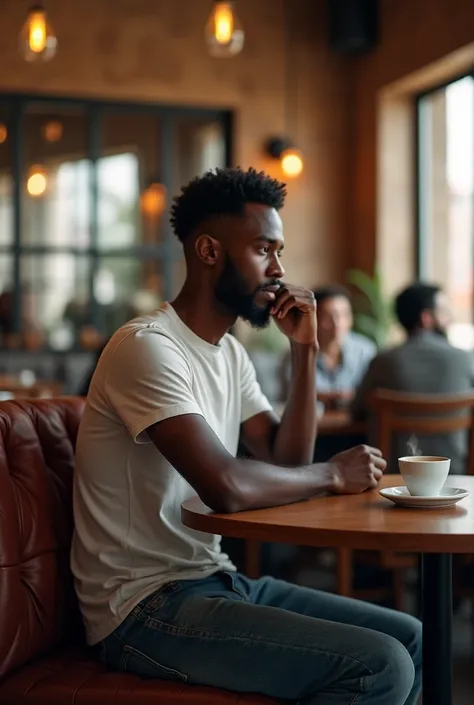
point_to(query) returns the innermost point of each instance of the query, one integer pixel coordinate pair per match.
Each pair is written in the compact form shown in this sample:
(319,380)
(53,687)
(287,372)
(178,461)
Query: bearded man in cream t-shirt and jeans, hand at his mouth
(171,395)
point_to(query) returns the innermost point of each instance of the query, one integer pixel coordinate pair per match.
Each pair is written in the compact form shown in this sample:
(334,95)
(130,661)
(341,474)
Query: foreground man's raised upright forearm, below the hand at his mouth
(296,435)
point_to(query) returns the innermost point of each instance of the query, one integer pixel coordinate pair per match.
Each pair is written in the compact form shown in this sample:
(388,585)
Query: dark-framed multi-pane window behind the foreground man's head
(85,242)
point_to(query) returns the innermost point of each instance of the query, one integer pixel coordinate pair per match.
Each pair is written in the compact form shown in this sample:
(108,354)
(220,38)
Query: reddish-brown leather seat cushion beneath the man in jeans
(71,678)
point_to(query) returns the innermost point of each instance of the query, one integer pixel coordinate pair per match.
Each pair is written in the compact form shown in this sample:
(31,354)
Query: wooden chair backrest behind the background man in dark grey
(427,414)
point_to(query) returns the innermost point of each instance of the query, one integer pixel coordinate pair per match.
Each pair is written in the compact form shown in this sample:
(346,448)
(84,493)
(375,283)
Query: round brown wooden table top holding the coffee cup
(364,521)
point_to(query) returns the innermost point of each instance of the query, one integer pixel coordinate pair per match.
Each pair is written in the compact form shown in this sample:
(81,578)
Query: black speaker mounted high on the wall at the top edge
(352,25)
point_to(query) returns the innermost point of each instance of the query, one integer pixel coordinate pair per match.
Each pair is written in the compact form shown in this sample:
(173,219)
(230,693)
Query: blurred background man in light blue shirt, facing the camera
(343,355)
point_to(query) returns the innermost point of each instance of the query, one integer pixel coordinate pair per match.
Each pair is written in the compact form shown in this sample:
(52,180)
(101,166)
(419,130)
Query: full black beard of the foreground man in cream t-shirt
(232,291)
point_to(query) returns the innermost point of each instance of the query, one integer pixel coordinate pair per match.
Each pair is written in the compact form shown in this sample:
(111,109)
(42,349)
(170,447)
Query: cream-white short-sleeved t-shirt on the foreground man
(129,539)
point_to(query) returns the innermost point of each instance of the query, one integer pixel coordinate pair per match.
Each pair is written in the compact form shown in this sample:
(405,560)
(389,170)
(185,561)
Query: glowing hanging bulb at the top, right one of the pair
(224,33)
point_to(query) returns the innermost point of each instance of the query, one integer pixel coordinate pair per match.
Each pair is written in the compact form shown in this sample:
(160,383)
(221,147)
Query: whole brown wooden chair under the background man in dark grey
(427,415)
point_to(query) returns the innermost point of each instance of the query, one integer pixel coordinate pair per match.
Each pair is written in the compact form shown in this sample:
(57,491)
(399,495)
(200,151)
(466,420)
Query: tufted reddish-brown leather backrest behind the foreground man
(38,608)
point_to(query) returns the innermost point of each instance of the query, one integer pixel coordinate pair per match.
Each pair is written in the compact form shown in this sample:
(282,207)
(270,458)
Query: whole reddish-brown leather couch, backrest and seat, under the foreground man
(43,656)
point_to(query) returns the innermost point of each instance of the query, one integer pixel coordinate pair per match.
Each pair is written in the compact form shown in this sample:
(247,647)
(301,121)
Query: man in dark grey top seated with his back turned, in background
(425,363)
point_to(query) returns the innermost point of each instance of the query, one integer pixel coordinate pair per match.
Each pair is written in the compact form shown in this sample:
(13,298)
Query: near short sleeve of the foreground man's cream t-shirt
(149,380)
